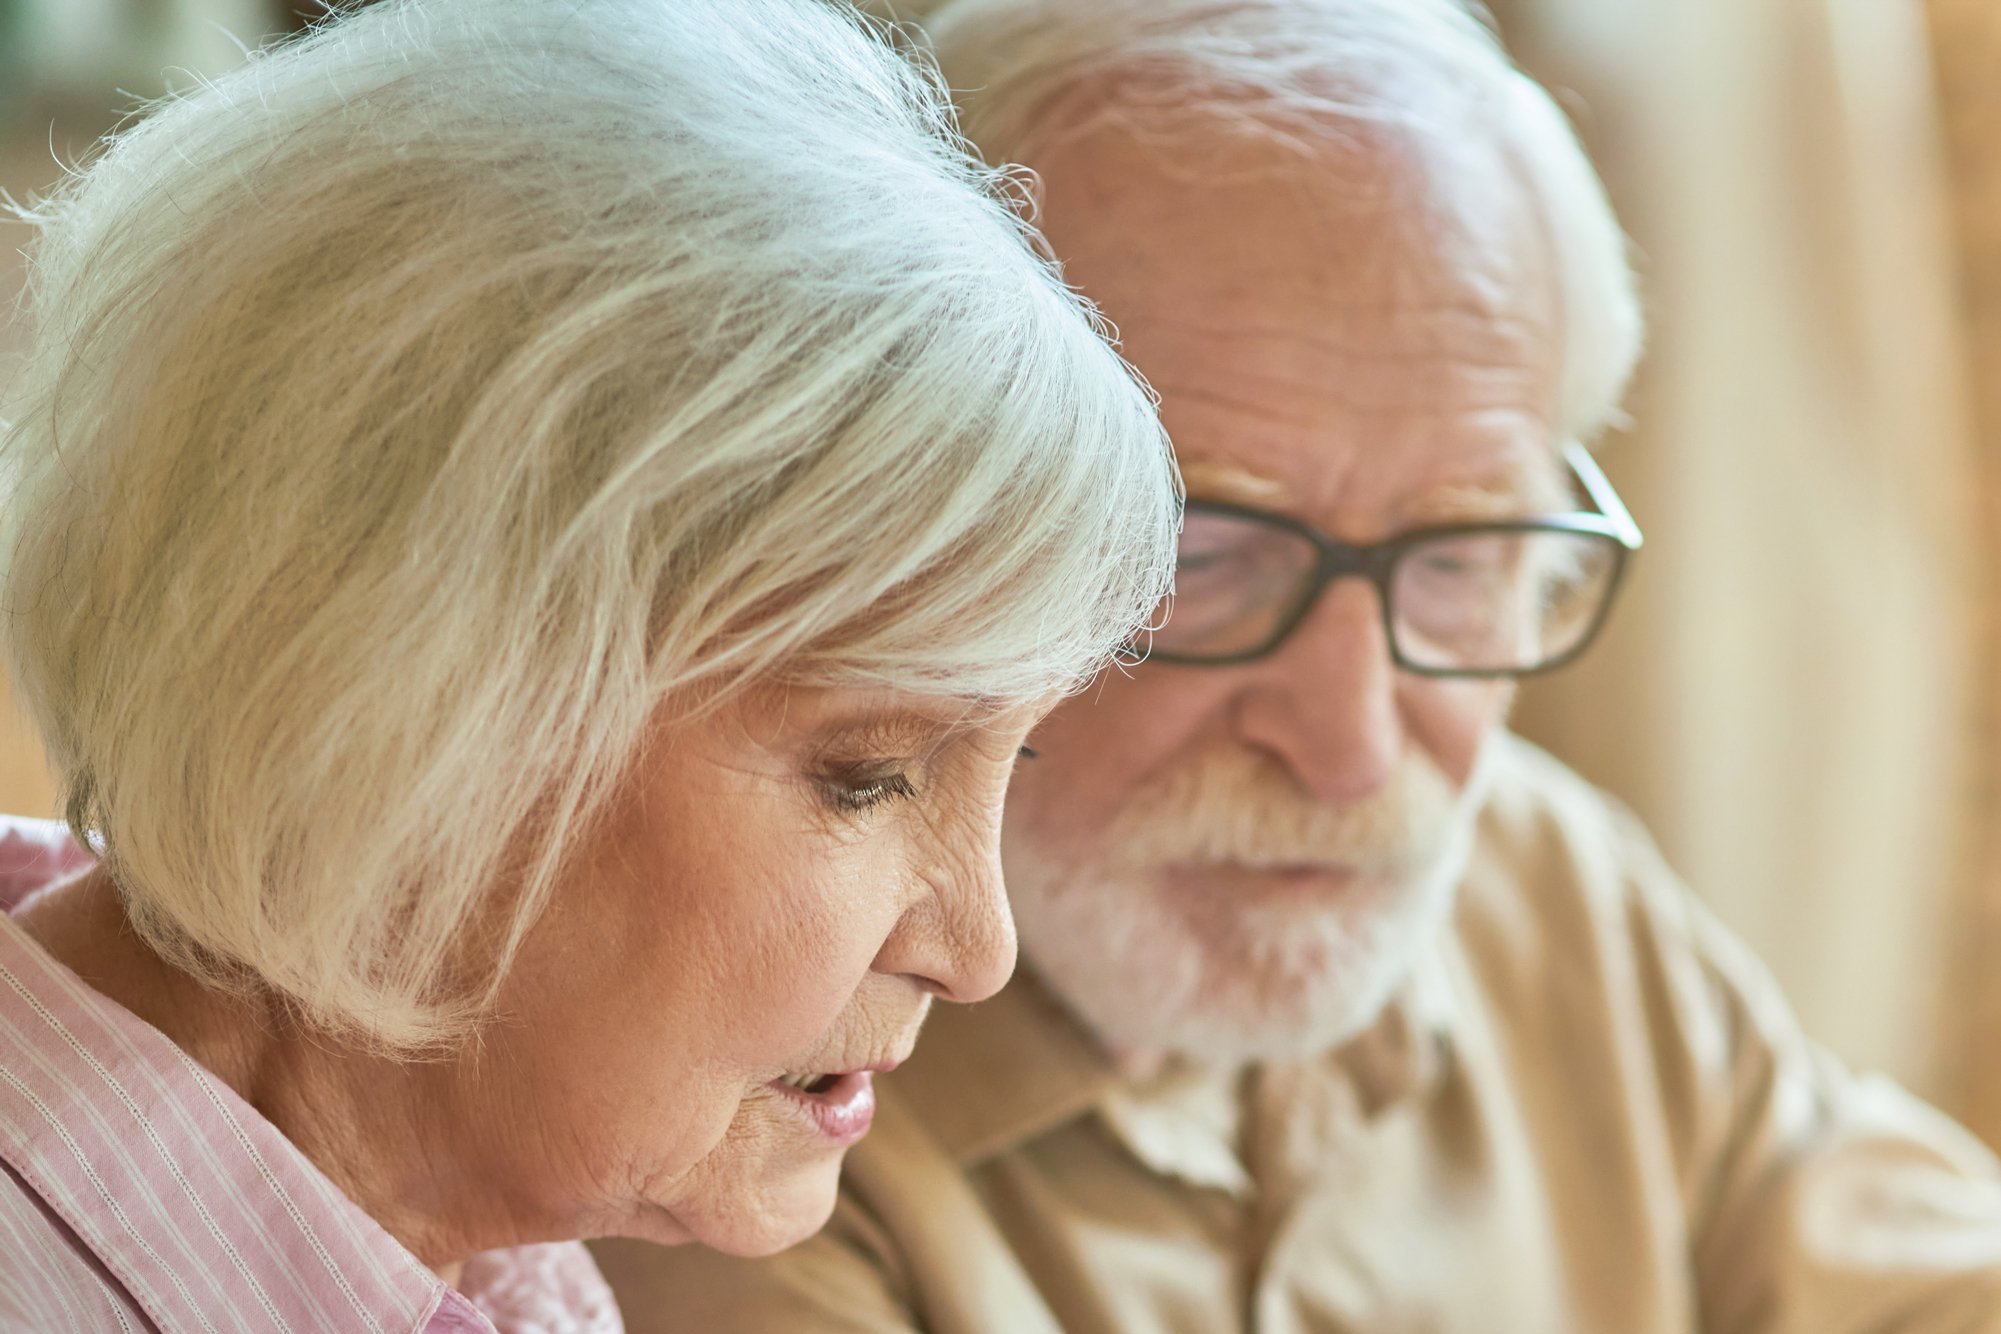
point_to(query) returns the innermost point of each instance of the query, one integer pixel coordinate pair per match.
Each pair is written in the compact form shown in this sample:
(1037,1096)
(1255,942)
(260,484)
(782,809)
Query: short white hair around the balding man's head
(1308,71)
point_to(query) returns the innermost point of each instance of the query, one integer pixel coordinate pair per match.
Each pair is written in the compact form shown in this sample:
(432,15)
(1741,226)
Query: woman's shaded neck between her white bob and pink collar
(387,1133)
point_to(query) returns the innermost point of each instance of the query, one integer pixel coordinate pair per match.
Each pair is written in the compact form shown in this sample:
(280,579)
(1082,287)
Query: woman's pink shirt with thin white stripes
(139,1193)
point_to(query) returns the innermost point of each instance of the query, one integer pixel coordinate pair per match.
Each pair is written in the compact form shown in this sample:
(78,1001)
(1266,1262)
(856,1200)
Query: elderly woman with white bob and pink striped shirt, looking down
(535,537)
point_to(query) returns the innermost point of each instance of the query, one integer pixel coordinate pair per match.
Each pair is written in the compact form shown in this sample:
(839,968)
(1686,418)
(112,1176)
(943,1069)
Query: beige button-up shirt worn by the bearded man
(1588,1113)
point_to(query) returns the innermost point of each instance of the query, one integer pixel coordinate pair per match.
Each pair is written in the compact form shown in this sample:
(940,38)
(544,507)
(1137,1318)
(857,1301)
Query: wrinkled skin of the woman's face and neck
(781,887)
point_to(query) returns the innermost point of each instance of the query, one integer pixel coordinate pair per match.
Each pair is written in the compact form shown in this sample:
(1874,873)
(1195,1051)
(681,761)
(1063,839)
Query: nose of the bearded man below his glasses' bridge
(1326,703)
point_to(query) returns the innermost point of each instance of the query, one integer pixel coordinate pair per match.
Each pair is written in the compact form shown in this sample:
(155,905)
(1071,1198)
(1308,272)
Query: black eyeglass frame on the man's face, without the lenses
(1378,563)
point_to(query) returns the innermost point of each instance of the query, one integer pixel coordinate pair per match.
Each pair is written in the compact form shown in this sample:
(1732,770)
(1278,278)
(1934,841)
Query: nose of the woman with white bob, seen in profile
(957,941)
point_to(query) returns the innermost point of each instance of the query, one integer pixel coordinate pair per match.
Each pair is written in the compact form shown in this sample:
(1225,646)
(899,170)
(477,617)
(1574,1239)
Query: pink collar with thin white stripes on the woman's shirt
(191,1199)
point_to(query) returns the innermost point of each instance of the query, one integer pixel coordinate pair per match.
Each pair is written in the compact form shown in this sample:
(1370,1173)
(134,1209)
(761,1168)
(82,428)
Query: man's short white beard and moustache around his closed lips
(1160,969)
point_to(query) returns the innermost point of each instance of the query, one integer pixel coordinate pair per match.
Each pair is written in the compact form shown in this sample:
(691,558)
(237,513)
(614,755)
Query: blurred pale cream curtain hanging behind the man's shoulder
(1786,695)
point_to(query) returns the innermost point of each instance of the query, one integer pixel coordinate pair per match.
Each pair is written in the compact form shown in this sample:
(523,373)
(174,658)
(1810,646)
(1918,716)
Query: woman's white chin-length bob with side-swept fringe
(411,413)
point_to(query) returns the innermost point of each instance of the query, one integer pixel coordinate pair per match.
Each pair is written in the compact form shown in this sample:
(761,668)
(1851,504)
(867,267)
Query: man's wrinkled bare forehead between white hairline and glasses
(1356,337)
